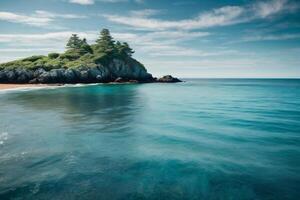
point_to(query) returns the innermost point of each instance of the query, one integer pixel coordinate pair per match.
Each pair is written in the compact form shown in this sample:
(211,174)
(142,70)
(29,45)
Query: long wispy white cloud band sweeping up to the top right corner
(223,16)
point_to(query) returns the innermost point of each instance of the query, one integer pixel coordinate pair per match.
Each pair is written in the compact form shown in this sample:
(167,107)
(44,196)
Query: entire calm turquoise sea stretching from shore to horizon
(202,139)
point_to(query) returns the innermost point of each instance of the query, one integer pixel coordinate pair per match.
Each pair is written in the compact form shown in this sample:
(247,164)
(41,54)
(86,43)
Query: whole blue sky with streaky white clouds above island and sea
(185,38)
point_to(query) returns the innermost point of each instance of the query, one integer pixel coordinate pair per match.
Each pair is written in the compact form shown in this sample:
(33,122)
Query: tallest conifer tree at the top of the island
(105,42)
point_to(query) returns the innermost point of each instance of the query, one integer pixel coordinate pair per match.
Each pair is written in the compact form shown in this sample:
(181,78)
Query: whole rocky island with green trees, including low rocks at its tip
(103,62)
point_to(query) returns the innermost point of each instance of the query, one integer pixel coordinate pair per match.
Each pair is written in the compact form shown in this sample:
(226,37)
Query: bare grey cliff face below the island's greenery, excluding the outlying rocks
(129,70)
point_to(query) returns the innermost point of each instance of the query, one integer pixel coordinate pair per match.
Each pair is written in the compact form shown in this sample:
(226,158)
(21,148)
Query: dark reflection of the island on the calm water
(103,105)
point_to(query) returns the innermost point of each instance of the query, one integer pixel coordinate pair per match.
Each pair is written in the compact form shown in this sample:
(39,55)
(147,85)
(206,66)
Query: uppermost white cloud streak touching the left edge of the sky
(39,18)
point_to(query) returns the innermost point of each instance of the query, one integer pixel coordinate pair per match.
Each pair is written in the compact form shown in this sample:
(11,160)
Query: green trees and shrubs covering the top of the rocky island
(78,54)
